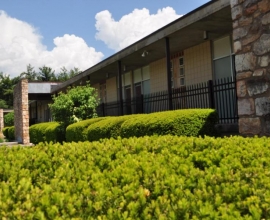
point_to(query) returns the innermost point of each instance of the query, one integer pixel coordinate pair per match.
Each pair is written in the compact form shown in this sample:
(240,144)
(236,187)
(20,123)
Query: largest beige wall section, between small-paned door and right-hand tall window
(198,63)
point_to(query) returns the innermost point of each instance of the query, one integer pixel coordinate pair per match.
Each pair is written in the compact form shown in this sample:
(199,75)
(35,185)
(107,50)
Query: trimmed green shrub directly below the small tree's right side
(78,131)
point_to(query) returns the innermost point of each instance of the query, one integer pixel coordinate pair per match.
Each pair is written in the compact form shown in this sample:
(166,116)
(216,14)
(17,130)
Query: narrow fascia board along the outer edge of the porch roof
(122,53)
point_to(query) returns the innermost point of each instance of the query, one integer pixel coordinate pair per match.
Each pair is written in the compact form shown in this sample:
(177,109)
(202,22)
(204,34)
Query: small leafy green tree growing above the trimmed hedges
(78,103)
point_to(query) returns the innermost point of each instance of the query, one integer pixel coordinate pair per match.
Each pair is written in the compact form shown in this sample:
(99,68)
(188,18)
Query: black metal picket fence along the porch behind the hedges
(219,95)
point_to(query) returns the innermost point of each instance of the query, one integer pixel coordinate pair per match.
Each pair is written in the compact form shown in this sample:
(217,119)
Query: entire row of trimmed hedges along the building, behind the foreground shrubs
(191,122)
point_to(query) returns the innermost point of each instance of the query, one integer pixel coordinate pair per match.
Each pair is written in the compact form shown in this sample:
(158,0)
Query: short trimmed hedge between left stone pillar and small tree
(47,131)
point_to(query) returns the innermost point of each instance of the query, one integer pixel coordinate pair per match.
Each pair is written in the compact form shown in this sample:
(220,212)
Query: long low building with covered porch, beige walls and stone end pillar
(204,59)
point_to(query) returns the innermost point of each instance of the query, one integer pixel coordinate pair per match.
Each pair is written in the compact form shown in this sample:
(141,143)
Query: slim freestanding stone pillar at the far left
(21,116)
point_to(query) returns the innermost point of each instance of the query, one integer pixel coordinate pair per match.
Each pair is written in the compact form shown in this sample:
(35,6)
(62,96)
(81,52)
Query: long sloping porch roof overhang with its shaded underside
(187,31)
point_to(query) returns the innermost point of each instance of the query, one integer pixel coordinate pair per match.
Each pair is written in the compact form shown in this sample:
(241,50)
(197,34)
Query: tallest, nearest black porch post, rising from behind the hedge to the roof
(168,68)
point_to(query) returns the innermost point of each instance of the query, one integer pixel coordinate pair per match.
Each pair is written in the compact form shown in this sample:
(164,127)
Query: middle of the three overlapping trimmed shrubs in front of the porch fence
(107,128)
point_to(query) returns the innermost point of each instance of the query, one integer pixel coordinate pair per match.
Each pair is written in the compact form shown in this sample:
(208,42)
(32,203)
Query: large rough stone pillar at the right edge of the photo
(251,36)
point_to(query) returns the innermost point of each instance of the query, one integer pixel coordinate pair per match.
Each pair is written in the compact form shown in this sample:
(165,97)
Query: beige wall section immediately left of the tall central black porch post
(158,76)
